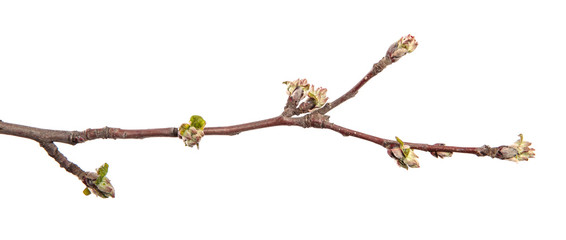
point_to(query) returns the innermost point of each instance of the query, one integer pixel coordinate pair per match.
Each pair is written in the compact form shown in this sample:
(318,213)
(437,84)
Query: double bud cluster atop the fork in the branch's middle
(316,96)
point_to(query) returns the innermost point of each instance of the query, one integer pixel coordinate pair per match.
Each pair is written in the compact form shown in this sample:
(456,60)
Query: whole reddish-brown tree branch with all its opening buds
(313,111)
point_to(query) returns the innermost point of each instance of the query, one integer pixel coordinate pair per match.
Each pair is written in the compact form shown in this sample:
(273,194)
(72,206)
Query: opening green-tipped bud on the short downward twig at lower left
(98,183)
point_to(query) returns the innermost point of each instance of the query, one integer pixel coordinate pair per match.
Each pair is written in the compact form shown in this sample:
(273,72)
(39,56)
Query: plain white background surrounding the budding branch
(484,72)
